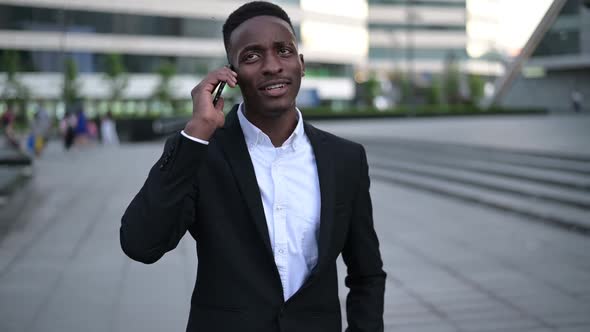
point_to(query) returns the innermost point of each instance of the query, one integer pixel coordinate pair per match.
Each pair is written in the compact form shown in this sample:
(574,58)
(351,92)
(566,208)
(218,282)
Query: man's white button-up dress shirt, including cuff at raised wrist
(289,187)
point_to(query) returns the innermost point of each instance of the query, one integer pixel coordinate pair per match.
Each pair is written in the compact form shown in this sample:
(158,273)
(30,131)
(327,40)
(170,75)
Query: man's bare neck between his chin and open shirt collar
(277,128)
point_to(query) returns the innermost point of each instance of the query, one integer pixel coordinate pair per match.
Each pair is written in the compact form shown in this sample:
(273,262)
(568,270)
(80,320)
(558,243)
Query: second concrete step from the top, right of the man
(571,181)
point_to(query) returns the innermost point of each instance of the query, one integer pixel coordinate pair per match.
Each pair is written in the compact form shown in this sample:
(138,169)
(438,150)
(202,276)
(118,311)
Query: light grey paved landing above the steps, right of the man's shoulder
(554,133)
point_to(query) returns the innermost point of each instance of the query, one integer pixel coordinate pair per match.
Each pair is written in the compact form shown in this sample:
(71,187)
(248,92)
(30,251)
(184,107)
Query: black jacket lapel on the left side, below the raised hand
(232,142)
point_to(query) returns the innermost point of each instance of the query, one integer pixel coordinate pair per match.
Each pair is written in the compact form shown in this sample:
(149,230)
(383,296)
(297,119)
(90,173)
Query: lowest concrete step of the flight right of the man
(561,215)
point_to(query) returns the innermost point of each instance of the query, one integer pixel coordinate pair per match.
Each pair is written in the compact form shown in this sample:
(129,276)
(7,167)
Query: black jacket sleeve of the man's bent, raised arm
(163,209)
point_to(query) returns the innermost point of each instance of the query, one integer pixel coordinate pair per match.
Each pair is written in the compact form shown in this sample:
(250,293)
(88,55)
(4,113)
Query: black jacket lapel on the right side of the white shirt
(325,166)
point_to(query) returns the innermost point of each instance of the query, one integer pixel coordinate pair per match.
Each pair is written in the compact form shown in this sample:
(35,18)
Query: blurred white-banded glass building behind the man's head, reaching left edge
(186,33)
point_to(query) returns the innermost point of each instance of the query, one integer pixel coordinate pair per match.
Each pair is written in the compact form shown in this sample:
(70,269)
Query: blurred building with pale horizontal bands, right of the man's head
(416,35)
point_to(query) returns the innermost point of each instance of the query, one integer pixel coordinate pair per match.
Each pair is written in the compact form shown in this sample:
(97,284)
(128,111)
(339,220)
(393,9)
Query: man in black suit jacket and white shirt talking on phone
(270,200)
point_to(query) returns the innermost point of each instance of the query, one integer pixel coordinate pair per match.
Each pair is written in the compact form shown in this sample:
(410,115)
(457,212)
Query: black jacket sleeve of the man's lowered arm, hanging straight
(365,275)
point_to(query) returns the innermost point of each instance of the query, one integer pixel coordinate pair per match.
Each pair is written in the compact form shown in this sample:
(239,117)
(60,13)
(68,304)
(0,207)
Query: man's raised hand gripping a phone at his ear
(208,109)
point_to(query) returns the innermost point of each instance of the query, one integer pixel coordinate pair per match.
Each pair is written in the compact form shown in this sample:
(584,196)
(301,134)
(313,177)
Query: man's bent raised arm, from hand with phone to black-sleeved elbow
(160,214)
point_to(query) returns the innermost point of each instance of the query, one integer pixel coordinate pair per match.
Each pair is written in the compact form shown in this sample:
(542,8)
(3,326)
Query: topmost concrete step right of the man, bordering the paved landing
(546,161)
